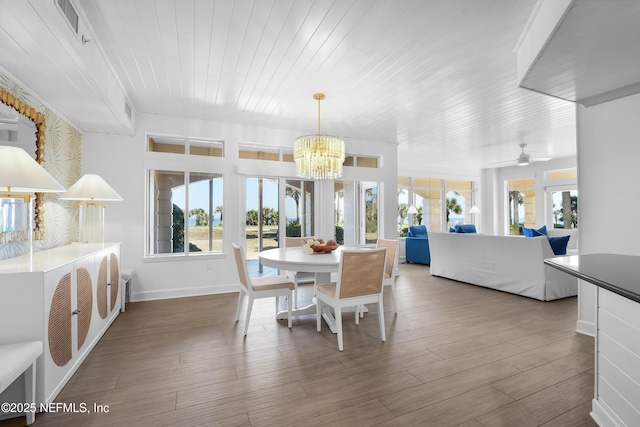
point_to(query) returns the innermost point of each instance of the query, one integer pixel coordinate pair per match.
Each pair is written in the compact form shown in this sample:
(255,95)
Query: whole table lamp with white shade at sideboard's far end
(91,192)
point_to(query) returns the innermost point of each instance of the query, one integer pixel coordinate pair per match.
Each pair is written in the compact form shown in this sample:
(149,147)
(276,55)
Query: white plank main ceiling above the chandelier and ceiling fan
(436,77)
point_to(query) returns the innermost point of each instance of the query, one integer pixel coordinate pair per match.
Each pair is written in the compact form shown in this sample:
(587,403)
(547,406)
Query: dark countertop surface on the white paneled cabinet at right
(617,273)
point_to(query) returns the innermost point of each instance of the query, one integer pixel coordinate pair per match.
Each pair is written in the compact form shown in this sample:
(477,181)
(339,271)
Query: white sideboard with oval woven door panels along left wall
(65,297)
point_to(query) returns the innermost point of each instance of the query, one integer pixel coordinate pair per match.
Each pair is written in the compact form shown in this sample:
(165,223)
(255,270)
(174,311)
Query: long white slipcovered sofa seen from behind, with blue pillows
(507,263)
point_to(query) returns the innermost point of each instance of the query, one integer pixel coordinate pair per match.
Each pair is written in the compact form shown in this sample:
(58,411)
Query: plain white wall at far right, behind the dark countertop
(608,153)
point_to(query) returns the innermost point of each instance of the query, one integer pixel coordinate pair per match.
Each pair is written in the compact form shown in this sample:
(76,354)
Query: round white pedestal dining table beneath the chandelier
(297,259)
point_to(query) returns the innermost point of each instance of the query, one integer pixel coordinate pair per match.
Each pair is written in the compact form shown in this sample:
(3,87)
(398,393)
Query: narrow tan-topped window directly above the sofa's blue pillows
(521,202)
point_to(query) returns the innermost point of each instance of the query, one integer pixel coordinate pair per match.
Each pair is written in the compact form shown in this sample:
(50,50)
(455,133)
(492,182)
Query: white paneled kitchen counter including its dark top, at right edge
(616,401)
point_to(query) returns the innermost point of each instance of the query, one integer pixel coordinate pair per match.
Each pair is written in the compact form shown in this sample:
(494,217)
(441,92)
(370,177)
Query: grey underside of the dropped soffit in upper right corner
(594,54)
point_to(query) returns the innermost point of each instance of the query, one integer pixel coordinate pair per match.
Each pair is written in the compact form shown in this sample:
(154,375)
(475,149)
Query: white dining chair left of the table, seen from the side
(260,287)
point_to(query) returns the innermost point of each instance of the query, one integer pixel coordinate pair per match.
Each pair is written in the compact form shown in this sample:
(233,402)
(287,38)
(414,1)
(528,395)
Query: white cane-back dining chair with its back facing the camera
(359,282)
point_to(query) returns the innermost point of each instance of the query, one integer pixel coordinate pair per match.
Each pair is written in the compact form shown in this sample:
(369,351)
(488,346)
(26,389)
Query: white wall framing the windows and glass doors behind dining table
(121,161)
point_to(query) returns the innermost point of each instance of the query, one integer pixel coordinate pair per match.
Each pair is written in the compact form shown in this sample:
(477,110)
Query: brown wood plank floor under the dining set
(455,355)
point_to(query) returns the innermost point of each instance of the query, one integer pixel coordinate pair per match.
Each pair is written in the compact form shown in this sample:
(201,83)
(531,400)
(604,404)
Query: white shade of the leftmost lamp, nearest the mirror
(20,173)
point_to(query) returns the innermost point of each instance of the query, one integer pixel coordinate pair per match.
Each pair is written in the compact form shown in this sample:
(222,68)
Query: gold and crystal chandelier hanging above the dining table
(318,156)
